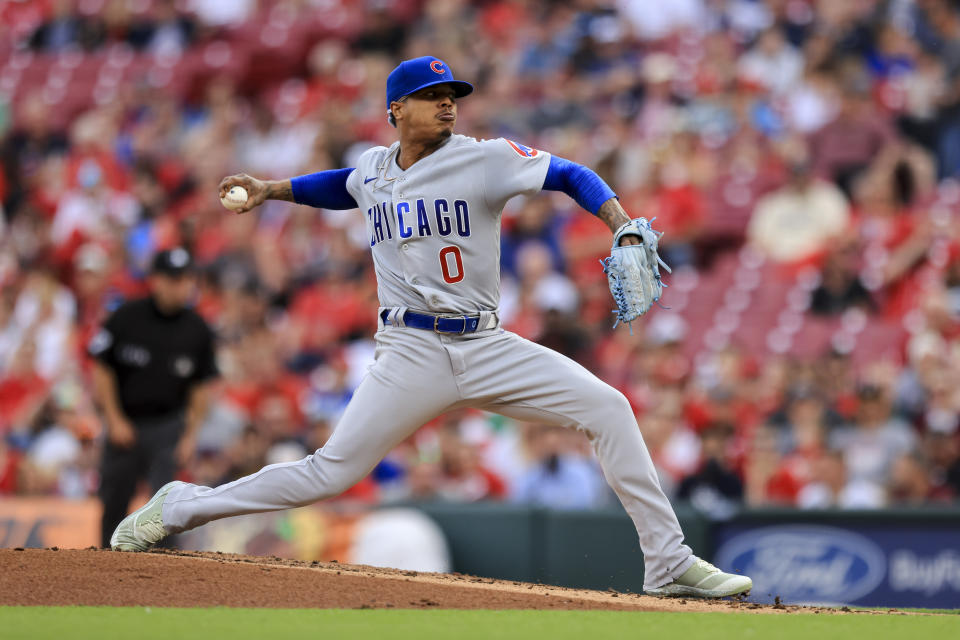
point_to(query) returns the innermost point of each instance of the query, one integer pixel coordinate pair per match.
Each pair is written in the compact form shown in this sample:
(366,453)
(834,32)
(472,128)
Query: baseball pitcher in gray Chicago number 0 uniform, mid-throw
(432,203)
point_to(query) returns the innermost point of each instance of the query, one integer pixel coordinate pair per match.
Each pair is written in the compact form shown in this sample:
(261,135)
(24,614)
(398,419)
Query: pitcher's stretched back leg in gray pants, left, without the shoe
(398,395)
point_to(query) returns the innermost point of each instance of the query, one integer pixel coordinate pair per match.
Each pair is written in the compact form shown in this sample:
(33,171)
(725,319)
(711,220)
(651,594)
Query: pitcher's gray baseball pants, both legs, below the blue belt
(418,375)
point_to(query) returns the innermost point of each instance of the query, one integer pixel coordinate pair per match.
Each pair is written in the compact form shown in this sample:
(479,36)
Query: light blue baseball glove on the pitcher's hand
(633,271)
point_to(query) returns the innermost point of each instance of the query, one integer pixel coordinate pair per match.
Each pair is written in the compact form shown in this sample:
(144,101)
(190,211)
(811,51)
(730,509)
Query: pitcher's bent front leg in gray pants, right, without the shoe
(542,385)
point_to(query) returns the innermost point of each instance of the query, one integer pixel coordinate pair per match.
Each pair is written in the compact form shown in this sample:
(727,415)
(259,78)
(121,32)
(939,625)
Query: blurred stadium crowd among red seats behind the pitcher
(799,147)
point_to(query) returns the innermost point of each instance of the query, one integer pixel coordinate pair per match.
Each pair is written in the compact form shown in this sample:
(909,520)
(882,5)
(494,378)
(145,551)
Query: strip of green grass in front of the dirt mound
(139,623)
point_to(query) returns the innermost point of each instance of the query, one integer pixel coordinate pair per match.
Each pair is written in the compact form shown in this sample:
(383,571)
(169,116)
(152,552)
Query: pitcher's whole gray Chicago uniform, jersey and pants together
(435,237)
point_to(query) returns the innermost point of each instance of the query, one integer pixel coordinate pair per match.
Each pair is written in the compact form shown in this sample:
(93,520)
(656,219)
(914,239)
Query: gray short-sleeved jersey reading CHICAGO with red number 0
(435,228)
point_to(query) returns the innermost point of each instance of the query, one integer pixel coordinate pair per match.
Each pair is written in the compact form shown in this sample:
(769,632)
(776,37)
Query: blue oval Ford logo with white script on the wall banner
(805,563)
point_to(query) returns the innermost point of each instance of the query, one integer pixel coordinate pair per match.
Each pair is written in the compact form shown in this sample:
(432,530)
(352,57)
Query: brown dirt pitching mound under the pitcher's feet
(188,579)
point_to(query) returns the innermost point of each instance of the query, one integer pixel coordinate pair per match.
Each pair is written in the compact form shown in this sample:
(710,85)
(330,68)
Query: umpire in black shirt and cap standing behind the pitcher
(154,358)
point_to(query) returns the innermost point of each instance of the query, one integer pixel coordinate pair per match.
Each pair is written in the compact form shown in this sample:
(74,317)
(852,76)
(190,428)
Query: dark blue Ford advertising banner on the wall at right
(860,565)
